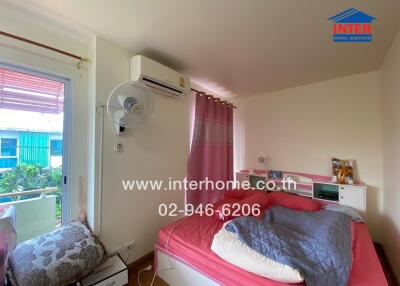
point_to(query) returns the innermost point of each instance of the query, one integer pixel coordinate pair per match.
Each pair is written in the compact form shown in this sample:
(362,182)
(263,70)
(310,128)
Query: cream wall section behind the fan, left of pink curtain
(157,150)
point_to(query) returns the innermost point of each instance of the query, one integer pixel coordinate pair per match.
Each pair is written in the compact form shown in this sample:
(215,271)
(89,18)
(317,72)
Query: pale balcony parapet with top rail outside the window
(36,215)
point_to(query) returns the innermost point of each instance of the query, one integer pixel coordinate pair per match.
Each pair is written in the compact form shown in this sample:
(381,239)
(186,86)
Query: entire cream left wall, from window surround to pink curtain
(157,150)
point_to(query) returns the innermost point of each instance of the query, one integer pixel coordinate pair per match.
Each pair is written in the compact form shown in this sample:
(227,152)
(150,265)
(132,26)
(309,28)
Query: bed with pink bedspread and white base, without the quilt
(183,257)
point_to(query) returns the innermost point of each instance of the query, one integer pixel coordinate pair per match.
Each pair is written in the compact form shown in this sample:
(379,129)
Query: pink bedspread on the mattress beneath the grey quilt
(191,240)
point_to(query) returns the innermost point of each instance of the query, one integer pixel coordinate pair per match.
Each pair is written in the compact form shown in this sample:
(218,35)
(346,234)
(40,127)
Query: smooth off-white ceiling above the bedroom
(236,47)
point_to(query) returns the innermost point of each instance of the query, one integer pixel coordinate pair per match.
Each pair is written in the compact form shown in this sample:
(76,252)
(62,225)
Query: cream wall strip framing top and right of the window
(22,54)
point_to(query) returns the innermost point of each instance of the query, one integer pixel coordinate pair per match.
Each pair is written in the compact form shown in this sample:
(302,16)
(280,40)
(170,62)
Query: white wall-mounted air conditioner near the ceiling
(158,76)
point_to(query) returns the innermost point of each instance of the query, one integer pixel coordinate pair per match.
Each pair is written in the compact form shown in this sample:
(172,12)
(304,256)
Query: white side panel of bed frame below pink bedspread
(176,272)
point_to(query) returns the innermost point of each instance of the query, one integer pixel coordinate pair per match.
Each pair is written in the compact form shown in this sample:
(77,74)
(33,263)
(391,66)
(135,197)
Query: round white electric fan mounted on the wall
(129,105)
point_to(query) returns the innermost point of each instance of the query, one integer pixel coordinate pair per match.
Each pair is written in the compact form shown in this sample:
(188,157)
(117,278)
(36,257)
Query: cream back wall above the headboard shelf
(302,128)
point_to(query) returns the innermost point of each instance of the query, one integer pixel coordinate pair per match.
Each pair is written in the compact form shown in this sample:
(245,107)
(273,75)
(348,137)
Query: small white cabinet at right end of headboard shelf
(353,196)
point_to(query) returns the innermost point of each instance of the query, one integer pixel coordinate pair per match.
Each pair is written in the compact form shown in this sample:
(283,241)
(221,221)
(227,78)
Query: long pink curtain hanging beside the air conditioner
(211,154)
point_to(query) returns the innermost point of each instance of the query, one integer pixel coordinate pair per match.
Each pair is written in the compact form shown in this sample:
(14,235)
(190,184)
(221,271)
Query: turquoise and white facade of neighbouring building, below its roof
(29,147)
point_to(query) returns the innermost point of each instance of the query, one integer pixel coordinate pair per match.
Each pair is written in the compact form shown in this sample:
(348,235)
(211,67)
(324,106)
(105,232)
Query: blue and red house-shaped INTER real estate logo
(352,25)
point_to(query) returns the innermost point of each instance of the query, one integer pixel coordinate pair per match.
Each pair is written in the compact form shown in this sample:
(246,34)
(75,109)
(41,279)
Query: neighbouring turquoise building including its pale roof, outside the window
(30,137)
